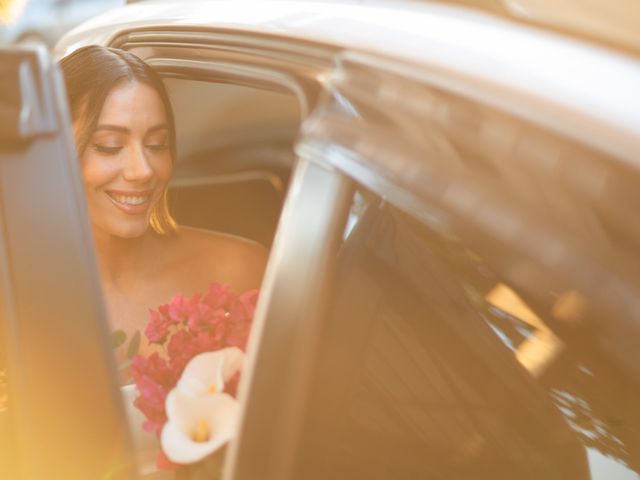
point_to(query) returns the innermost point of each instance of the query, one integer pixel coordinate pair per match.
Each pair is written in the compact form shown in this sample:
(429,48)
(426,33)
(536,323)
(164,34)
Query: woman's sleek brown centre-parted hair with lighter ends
(90,73)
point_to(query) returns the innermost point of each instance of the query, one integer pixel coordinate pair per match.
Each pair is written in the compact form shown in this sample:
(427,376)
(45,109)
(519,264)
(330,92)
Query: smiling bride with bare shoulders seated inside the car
(125,138)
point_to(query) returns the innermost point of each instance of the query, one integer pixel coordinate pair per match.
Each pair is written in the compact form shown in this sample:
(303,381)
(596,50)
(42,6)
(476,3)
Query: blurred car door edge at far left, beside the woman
(61,414)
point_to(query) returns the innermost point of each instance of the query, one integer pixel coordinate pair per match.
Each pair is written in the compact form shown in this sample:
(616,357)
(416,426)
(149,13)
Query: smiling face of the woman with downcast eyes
(127,162)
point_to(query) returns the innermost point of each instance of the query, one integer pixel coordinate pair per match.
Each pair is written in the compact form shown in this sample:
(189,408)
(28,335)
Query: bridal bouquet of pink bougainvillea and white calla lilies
(187,387)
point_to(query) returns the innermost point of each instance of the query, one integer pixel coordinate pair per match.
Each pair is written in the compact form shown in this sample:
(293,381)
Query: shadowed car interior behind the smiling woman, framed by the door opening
(235,155)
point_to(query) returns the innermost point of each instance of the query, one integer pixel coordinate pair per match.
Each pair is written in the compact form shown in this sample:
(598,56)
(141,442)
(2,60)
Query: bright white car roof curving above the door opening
(546,67)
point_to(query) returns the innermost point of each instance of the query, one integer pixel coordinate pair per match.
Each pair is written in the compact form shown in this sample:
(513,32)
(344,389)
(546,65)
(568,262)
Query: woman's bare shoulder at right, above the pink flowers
(208,256)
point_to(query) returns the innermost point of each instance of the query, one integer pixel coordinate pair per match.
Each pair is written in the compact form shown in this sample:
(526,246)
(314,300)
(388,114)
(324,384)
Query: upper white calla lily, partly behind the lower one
(207,372)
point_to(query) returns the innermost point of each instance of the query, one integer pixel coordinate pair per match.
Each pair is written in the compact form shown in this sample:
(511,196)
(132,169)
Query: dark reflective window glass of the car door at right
(431,367)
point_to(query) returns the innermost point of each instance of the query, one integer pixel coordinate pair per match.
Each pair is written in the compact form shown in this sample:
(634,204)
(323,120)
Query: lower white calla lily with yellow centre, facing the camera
(197,425)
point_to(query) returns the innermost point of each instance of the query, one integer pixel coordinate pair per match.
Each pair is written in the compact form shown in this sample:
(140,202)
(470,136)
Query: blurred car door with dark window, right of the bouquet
(480,319)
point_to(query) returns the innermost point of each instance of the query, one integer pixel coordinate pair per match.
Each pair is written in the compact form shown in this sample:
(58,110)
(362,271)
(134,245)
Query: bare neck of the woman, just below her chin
(123,260)
